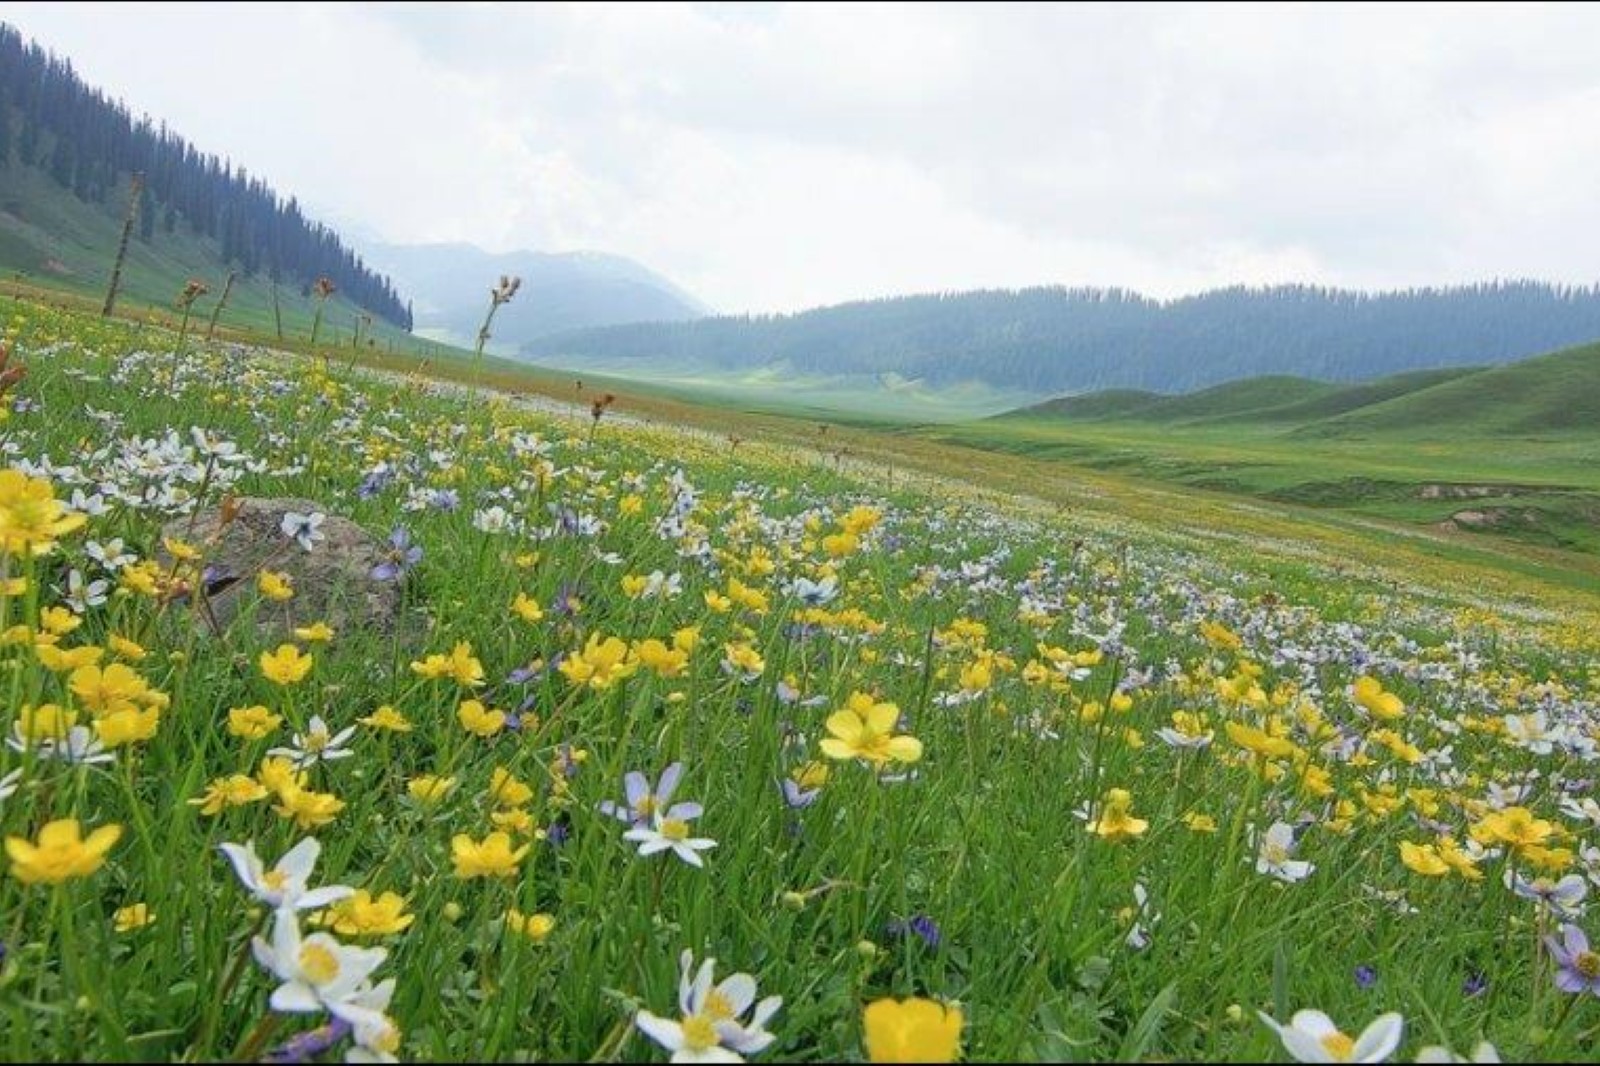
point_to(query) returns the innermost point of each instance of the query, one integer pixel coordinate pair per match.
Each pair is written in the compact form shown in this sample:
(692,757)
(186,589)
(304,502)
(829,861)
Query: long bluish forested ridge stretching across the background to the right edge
(1078,340)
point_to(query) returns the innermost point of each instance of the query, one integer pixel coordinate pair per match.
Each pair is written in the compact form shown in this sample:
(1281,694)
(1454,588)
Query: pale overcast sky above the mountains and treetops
(778,158)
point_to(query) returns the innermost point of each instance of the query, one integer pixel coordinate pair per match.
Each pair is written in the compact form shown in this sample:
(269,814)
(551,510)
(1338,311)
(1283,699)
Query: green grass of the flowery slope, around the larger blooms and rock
(966,577)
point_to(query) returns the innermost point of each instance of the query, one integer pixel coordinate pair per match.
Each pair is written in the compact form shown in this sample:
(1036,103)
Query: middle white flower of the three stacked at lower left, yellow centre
(318,972)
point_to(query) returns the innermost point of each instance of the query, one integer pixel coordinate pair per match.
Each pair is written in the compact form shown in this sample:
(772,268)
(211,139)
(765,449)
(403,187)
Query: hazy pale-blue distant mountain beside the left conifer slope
(561,292)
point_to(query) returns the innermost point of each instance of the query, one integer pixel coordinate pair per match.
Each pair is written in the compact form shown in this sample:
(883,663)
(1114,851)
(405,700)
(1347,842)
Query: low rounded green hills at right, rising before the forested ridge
(1548,395)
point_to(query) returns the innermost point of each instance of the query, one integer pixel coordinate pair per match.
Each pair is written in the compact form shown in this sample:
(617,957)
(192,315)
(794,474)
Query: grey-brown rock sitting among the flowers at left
(332,579)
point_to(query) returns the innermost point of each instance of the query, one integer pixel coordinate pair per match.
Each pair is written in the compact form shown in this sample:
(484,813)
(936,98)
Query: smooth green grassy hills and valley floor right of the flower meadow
(1409,449)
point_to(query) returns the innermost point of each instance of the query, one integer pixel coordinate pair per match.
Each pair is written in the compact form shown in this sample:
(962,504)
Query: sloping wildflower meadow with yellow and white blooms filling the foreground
(681,750)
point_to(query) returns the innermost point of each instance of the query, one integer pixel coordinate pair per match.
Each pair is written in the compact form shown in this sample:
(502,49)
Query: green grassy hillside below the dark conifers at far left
(50,239)
